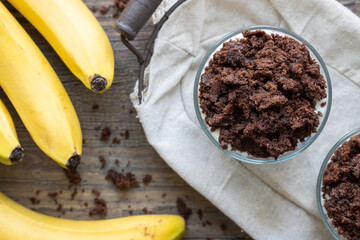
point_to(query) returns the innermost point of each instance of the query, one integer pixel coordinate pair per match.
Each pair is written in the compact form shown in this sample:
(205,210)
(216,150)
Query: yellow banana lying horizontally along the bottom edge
(18,222)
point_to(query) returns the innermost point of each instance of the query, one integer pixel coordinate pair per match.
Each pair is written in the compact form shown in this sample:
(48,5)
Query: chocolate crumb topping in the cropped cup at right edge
(341,189)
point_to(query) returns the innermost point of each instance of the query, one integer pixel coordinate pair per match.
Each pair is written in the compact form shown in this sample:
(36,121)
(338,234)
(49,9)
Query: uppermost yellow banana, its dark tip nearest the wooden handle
(76,36)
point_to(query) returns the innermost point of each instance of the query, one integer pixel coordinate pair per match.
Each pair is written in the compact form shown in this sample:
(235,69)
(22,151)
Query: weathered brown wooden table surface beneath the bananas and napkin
(38,172)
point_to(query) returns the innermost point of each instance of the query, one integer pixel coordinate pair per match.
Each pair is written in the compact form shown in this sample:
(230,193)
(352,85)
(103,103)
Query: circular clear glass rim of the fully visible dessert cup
(261,160)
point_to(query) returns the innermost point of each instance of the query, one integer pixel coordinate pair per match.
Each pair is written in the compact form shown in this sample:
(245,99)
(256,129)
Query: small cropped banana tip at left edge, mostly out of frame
(10,150)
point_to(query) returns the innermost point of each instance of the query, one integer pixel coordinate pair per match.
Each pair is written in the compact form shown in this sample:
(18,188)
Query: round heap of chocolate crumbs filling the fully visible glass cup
(260,92)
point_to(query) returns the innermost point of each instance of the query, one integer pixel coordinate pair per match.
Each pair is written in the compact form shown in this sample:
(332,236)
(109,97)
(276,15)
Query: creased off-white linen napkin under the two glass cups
(270,201)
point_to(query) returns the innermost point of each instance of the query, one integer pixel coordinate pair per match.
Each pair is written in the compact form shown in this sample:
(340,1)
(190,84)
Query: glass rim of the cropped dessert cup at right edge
(320,201)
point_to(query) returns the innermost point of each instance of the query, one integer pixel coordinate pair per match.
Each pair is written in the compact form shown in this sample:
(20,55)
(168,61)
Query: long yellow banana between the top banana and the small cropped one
(37,94)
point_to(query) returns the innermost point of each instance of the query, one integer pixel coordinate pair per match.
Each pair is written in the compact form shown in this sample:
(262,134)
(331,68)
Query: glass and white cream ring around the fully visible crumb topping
(301,146)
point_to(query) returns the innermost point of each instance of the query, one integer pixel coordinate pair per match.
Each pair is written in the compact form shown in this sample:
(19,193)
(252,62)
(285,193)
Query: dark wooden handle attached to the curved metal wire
(135,16)
